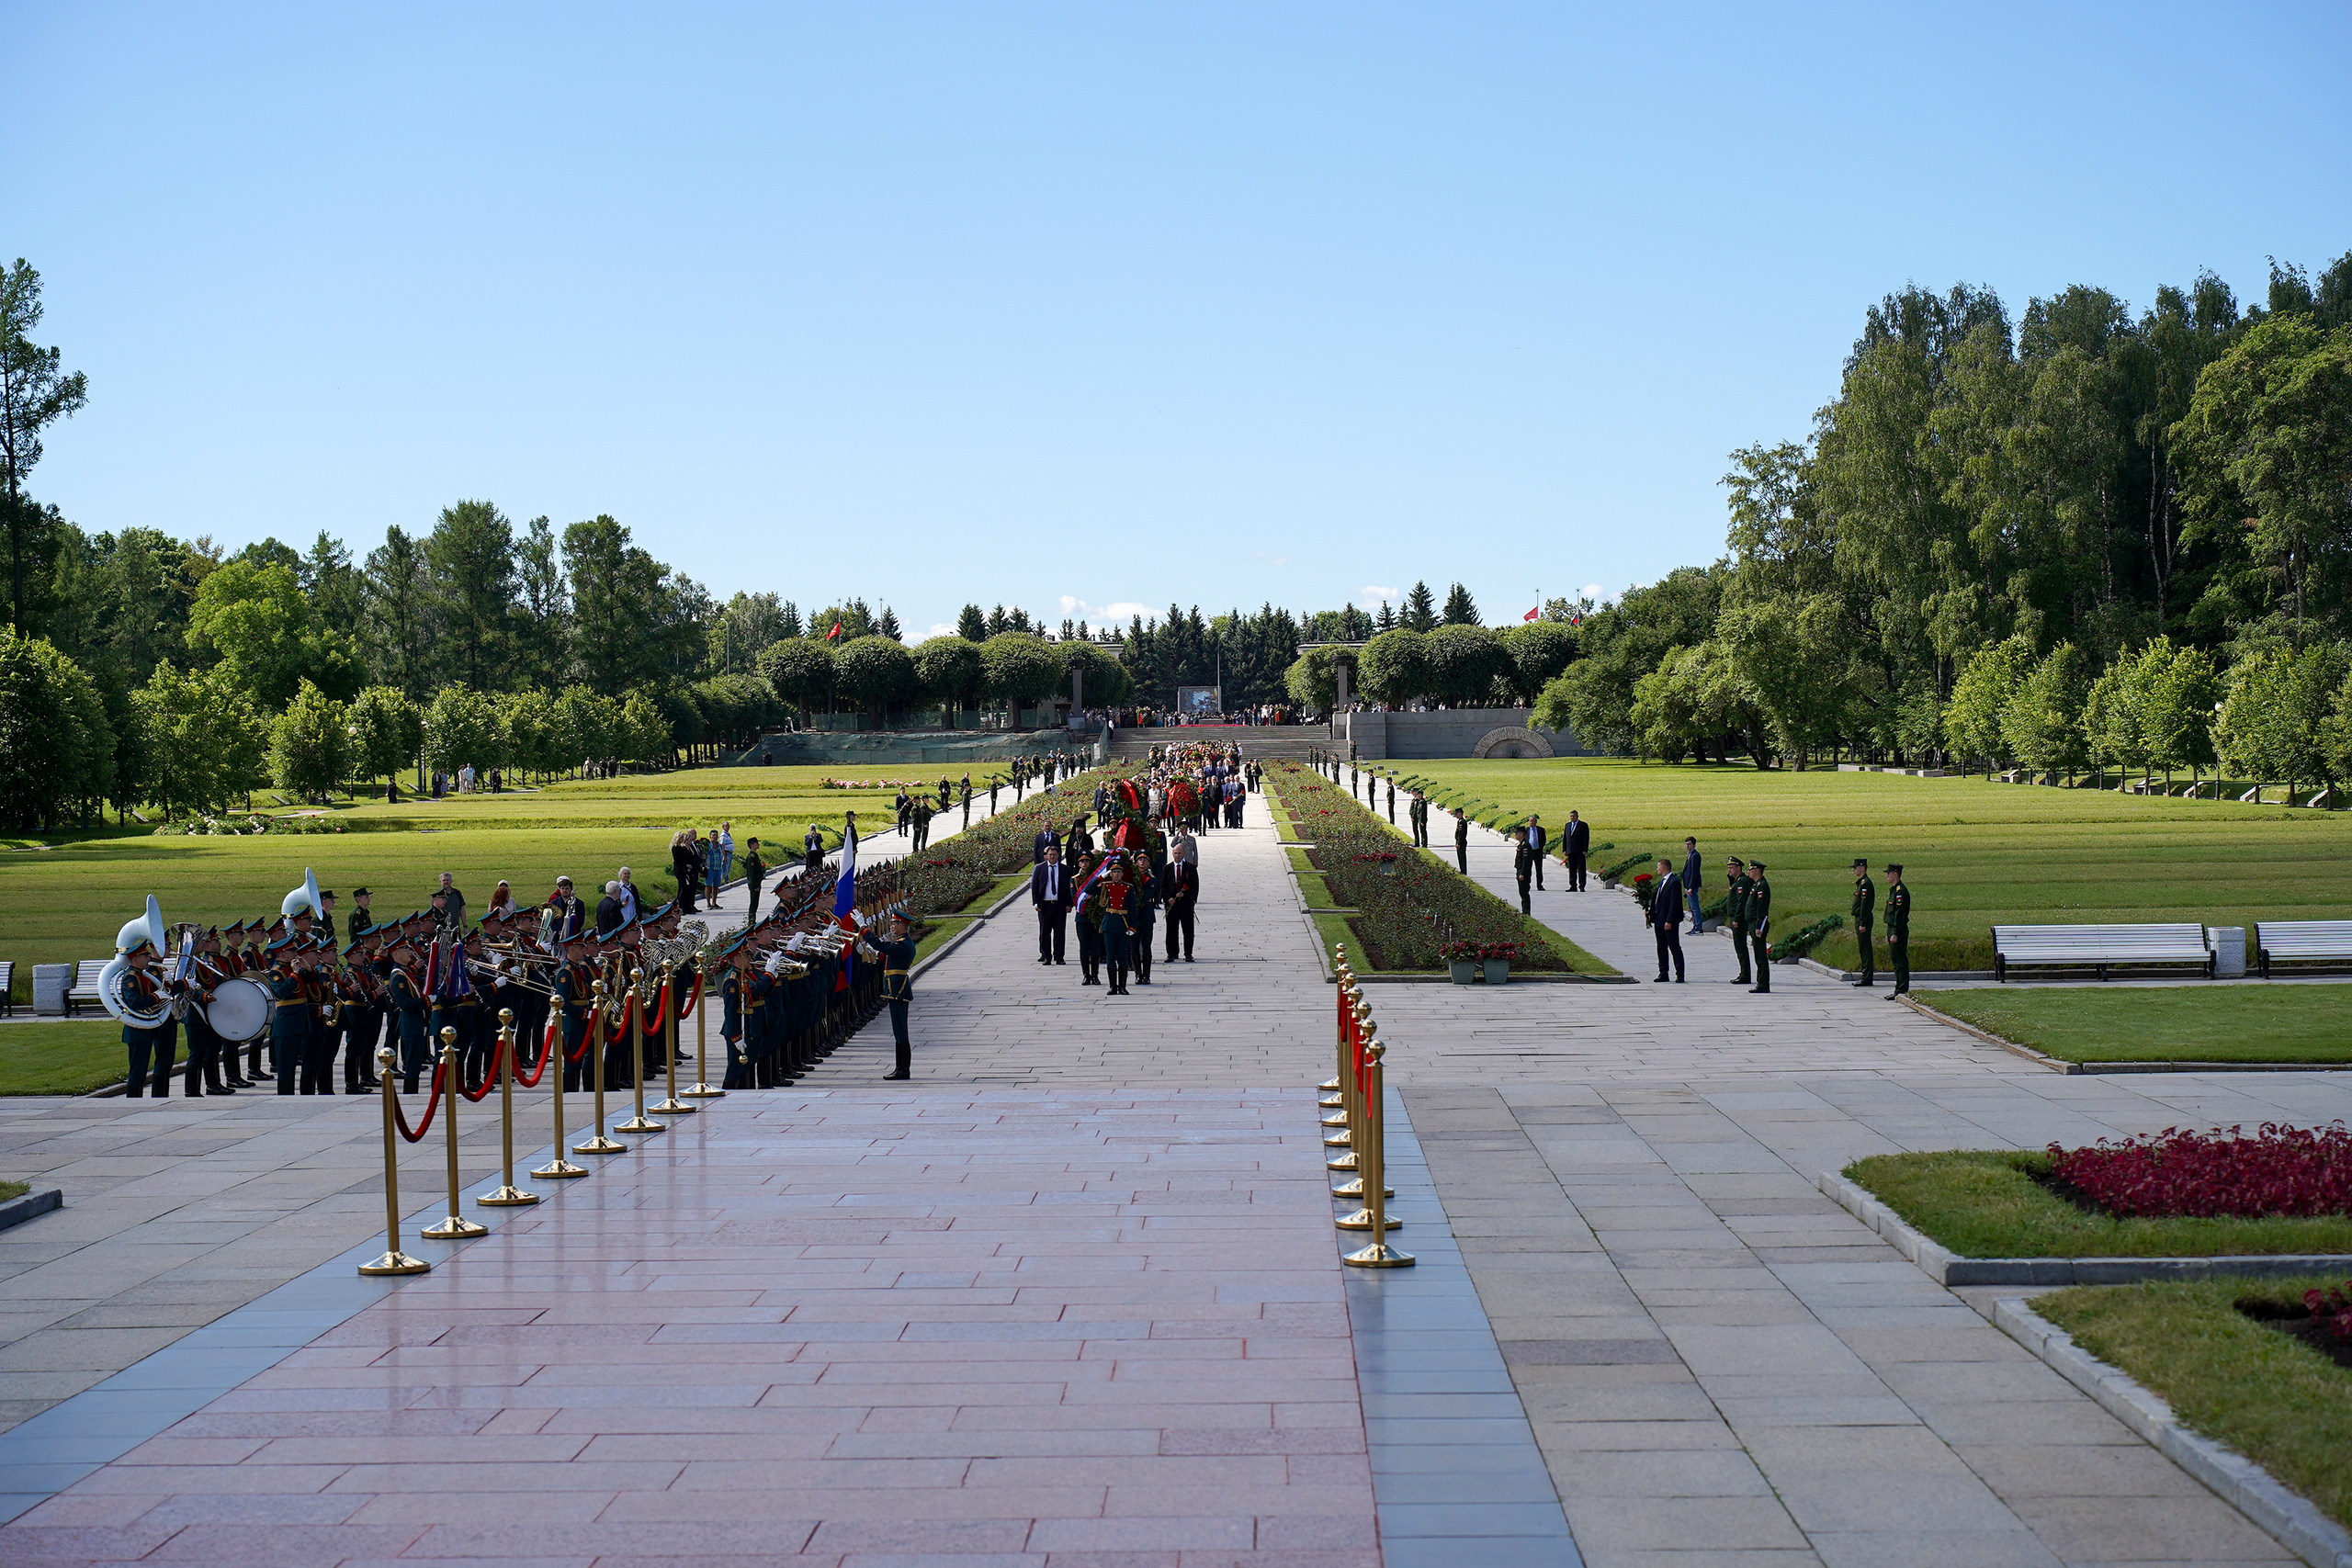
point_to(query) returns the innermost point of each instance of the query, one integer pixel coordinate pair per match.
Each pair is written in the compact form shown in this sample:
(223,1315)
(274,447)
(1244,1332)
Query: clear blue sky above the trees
(1085,304)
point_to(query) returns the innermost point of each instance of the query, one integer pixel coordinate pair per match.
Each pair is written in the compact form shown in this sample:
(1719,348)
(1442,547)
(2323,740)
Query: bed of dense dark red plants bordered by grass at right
(2278,1172)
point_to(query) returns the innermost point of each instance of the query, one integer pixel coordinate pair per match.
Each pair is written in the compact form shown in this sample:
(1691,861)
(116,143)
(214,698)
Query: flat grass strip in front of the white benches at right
(2156,1024)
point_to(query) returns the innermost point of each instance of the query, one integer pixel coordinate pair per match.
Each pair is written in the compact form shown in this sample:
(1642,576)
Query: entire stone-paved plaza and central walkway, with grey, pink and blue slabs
(1074,1299)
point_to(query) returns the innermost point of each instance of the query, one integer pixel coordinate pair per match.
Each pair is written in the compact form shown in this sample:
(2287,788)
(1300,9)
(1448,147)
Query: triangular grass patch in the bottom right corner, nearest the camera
(2231,1379)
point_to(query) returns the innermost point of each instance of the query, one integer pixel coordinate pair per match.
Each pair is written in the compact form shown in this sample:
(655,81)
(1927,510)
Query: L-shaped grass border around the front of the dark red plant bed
(1989,1205)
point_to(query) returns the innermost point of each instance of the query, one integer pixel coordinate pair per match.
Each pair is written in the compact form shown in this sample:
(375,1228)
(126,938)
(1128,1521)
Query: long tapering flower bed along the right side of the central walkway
(1408,904)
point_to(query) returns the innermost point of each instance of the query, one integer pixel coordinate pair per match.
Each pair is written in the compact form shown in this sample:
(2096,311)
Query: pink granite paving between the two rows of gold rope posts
(871,1329)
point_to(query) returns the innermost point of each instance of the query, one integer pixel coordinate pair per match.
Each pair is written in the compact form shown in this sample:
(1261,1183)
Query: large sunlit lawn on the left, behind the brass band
(67,902)
